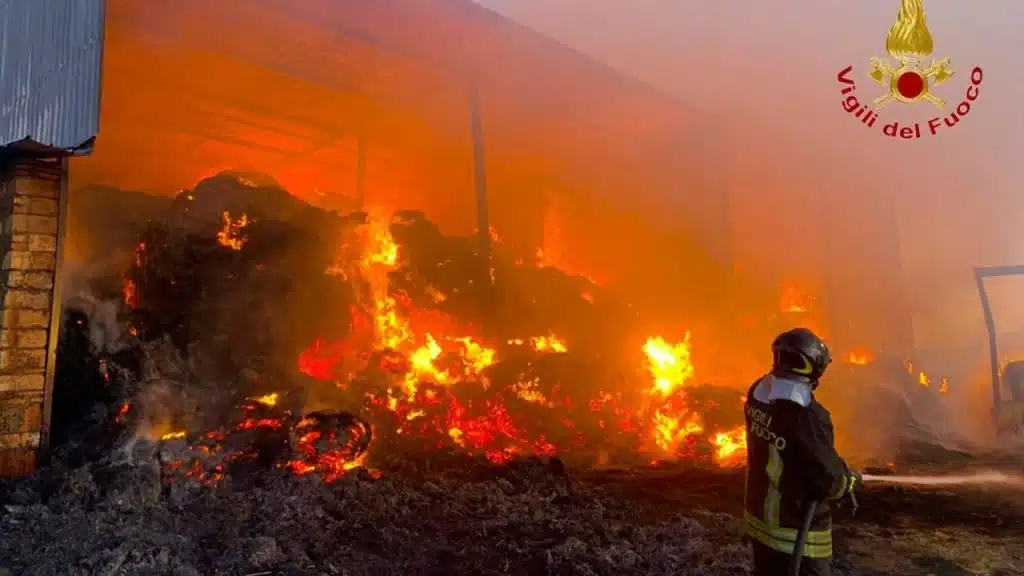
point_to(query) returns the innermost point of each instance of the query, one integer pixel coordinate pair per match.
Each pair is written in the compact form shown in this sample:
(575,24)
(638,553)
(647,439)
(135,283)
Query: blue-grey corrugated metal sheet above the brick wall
(51,61)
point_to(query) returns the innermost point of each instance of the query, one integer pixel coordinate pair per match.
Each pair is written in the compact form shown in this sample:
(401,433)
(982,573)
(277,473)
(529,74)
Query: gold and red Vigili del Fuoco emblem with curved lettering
(909,81)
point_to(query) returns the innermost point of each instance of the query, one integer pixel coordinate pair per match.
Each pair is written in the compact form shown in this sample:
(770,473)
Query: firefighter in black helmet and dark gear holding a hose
(792,461)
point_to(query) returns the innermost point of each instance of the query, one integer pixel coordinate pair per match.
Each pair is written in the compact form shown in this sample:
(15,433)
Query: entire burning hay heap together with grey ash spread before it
(401,449)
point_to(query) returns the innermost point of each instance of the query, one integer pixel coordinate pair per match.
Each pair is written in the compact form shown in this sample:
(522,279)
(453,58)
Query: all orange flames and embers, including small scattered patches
(413,376)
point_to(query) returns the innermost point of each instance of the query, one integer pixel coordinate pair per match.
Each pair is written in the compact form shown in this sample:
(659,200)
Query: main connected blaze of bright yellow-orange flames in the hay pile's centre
(438,383)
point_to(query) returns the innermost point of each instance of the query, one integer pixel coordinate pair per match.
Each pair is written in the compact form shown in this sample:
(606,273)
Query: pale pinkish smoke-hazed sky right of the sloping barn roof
(775,64)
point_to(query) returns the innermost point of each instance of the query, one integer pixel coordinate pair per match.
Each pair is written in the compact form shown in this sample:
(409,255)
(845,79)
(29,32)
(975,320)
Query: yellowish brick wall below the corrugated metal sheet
(30,192)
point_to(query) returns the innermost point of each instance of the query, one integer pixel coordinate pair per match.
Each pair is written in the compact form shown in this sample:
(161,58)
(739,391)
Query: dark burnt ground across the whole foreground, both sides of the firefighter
(456,516)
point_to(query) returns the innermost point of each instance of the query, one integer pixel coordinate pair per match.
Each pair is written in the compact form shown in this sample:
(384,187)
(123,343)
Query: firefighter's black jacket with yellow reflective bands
(792,462)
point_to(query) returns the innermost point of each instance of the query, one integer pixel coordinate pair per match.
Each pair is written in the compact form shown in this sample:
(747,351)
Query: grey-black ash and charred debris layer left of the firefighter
(528,518)
